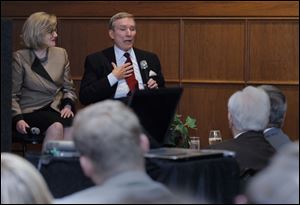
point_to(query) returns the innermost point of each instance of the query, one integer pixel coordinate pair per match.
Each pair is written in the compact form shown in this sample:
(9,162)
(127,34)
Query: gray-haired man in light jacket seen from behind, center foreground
(109,138)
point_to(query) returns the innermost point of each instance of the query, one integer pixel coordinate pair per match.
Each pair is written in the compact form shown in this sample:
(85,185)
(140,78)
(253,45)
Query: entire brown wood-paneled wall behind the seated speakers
(211,48)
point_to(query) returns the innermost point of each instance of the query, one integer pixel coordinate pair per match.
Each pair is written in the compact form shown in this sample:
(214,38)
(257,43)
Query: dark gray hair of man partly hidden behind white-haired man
(278,105)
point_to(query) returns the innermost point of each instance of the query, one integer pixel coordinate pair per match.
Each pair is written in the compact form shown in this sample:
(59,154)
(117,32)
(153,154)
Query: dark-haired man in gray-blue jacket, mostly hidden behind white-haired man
(274,134)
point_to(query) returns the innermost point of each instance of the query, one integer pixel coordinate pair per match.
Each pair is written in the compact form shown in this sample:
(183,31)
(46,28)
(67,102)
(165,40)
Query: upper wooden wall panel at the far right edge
(274,51)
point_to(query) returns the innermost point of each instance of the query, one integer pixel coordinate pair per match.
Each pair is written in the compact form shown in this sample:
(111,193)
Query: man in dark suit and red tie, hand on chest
(107,72)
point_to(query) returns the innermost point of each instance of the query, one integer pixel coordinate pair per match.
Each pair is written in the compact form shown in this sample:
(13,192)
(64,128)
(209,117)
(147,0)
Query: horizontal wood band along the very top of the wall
(153,8)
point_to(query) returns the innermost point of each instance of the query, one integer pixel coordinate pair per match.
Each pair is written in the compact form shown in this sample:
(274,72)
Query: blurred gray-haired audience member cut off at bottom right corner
(279,182)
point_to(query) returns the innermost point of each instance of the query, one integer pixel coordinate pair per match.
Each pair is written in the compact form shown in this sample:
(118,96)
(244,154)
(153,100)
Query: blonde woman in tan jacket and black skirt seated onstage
(43,92)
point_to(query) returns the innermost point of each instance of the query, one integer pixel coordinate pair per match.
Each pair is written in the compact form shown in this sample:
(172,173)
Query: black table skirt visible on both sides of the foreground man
(214,180)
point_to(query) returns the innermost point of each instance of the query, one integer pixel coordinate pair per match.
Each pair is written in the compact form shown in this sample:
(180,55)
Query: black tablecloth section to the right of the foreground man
(213,180)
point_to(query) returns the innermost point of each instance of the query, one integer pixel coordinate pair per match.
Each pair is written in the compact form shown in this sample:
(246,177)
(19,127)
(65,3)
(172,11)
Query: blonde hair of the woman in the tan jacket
(36,27)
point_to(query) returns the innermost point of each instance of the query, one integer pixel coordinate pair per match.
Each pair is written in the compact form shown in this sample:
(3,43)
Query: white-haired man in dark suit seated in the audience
(248,115)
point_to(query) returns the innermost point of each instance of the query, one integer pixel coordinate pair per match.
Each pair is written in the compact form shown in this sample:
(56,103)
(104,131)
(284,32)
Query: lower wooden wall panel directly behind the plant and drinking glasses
(208,104)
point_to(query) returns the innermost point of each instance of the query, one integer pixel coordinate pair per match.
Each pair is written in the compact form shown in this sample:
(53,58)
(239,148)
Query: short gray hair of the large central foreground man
(108,133)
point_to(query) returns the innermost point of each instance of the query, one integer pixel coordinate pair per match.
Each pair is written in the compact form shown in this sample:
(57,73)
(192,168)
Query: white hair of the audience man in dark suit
(249,109)
